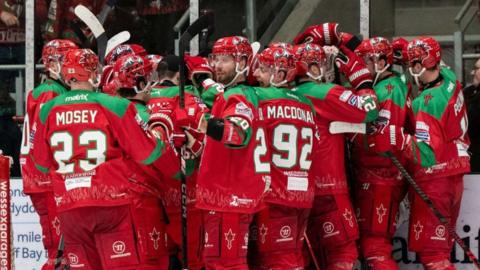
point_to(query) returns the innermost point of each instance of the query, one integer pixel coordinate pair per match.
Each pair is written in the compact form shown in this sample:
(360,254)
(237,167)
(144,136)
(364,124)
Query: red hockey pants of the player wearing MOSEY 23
(118,237)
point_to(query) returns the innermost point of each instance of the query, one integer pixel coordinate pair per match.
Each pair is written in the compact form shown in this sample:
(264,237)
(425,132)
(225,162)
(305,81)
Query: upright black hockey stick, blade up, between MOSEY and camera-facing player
(194,29)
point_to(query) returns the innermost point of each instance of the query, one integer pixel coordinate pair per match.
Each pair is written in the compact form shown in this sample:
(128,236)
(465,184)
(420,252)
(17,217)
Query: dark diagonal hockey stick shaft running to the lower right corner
(436,212)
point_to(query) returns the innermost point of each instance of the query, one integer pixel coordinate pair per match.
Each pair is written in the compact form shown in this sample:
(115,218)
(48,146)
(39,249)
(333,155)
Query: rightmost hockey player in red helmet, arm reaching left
(437,152)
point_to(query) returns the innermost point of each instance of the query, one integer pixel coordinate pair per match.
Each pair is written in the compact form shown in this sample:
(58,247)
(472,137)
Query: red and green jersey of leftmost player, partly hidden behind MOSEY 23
(35,181)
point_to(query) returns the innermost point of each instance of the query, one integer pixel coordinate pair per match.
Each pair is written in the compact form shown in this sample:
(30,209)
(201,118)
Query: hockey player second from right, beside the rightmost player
(379,186)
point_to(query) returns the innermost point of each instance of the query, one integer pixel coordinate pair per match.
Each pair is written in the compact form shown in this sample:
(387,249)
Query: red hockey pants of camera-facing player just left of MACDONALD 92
(225,241)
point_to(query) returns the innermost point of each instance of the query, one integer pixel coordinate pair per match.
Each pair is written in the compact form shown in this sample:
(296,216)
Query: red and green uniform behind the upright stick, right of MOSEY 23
(165,100)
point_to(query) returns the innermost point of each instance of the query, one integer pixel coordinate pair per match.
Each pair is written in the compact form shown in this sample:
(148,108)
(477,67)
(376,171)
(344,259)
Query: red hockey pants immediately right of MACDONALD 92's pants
(332,230)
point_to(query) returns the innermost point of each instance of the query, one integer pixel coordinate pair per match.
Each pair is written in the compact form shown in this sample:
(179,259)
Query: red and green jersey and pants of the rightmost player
(439,159)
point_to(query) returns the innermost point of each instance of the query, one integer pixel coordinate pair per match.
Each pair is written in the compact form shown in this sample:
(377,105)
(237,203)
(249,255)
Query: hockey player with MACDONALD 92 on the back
(285,143)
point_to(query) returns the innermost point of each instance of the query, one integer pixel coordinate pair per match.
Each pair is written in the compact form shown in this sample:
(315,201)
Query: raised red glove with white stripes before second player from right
(354,68)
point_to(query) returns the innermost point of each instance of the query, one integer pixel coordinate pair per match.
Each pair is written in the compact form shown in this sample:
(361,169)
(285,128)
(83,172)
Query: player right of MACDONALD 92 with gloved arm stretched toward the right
(332,225)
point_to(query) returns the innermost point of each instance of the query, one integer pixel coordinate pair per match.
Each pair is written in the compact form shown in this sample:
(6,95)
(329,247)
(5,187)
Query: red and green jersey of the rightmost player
(439,148)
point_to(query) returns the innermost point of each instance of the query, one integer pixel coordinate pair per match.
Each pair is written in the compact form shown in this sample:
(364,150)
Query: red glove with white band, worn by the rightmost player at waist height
(391,139)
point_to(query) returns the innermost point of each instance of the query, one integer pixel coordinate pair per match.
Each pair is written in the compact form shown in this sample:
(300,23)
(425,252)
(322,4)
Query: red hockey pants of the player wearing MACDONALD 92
(277,234)
